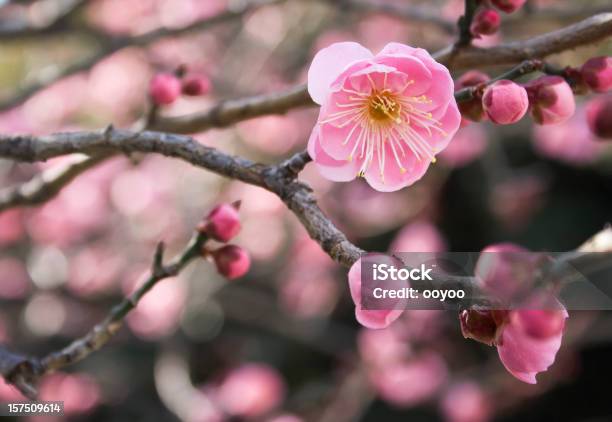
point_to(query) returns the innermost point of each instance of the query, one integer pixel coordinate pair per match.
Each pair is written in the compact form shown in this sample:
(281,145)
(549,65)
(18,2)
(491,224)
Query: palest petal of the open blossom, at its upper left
(327,65)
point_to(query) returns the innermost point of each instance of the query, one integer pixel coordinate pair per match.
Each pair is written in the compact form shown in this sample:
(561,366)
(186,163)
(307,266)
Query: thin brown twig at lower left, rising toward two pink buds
(23,372)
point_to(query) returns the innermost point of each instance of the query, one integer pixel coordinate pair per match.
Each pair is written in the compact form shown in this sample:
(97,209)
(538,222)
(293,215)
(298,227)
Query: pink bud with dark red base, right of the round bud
(551,100)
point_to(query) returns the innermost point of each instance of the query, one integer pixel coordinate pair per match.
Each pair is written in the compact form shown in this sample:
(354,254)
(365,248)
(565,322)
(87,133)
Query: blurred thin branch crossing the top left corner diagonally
(112,45)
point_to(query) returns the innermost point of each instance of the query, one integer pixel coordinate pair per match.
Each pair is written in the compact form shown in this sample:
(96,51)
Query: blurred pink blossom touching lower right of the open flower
(469,144)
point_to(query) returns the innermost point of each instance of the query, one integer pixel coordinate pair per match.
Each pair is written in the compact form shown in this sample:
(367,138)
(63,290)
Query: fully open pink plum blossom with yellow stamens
(383,117)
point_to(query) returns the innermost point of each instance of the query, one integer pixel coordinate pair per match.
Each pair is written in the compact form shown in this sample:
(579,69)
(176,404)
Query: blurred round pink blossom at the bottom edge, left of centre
(251,390)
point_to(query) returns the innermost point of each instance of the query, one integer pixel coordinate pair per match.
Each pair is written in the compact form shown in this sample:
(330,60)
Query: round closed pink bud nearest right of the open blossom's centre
(505,102)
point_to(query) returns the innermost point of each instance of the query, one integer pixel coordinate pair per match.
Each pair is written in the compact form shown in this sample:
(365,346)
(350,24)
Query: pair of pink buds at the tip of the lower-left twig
(223,224)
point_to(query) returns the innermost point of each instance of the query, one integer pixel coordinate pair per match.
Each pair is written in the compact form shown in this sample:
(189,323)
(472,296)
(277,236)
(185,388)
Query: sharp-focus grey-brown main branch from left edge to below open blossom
(279,179)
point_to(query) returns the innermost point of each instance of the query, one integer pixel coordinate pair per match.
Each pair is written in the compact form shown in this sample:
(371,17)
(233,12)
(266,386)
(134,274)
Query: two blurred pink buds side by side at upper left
(166,88)
